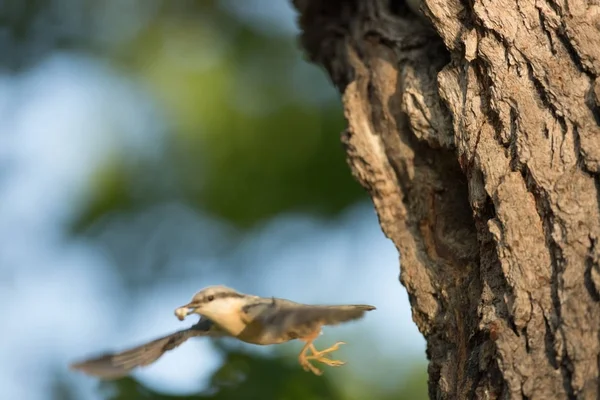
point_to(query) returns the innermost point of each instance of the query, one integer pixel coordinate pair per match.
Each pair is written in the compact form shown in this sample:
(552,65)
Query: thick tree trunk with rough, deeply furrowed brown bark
(474,125)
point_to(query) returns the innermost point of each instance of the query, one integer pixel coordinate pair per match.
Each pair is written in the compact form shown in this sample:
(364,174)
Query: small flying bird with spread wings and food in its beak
(225,312)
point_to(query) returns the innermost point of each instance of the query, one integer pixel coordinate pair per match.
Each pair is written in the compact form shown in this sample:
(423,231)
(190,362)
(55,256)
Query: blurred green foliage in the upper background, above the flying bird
(247,142)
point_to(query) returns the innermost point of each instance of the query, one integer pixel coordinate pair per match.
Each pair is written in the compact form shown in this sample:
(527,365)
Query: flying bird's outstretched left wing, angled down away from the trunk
(118,365)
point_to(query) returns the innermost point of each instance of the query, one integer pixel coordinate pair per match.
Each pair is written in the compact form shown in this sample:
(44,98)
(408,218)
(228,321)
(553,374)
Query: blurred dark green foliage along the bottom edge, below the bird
(245,376)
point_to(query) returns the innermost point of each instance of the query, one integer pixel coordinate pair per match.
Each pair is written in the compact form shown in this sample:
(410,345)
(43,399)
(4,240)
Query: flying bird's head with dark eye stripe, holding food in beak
(212,301)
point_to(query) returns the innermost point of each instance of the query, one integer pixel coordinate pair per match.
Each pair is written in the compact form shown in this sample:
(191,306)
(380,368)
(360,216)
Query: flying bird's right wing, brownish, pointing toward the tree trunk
(282,318)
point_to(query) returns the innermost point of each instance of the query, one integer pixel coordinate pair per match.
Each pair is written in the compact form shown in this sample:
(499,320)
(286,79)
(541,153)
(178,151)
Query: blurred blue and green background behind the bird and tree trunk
(149,148)
